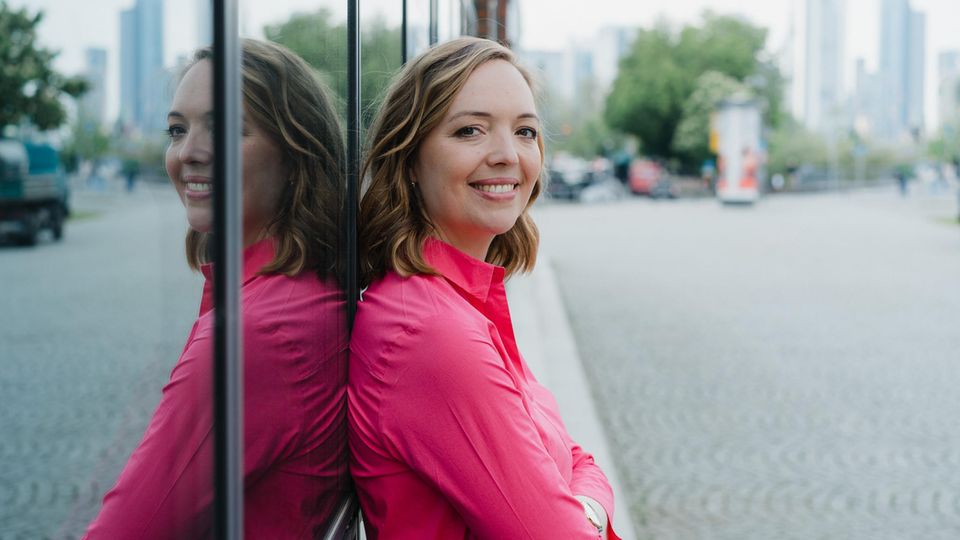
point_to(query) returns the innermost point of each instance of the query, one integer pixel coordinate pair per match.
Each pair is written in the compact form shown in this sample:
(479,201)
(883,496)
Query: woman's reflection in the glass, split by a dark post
(293,321)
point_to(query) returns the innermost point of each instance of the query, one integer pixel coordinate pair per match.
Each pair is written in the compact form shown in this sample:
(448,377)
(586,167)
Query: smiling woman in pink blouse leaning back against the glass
(450,434)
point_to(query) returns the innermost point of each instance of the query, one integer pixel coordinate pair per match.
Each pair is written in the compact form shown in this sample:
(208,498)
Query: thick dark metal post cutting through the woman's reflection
(227,258)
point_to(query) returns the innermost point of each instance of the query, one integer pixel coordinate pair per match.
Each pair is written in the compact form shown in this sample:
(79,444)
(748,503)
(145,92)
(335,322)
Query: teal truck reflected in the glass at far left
(33,191)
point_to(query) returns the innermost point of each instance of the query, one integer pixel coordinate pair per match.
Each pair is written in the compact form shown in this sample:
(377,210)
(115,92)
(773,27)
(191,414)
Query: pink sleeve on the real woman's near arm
(459,421)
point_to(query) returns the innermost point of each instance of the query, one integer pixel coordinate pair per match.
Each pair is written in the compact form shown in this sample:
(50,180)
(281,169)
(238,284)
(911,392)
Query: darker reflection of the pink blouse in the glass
(294,420)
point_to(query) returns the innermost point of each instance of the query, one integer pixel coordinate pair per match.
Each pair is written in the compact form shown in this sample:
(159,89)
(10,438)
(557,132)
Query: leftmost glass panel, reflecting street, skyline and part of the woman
(99,299)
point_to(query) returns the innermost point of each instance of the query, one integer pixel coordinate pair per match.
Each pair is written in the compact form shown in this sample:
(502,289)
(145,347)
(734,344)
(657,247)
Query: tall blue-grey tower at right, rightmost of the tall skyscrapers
(901,73)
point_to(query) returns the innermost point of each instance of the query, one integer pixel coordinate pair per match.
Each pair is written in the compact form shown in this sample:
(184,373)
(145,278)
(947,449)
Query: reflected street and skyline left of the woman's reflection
(101,302)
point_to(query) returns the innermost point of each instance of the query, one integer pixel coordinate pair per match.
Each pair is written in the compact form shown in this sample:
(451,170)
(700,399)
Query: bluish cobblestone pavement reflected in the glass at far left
(89,330)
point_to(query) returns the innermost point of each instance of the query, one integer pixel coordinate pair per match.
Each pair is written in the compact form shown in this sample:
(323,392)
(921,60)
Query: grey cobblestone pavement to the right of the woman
(783,371)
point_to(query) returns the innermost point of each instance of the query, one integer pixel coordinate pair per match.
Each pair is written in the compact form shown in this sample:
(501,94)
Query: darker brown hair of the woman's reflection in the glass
(284,98)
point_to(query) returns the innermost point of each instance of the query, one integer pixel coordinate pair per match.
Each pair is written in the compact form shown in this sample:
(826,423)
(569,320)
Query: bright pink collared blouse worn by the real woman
(450,434)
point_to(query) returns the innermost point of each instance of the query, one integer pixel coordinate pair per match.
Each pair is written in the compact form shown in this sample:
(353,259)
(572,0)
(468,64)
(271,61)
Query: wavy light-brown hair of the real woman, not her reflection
(393,220)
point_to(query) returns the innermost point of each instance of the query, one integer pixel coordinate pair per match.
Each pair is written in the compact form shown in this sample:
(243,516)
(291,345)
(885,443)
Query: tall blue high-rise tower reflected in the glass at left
(143,81)
